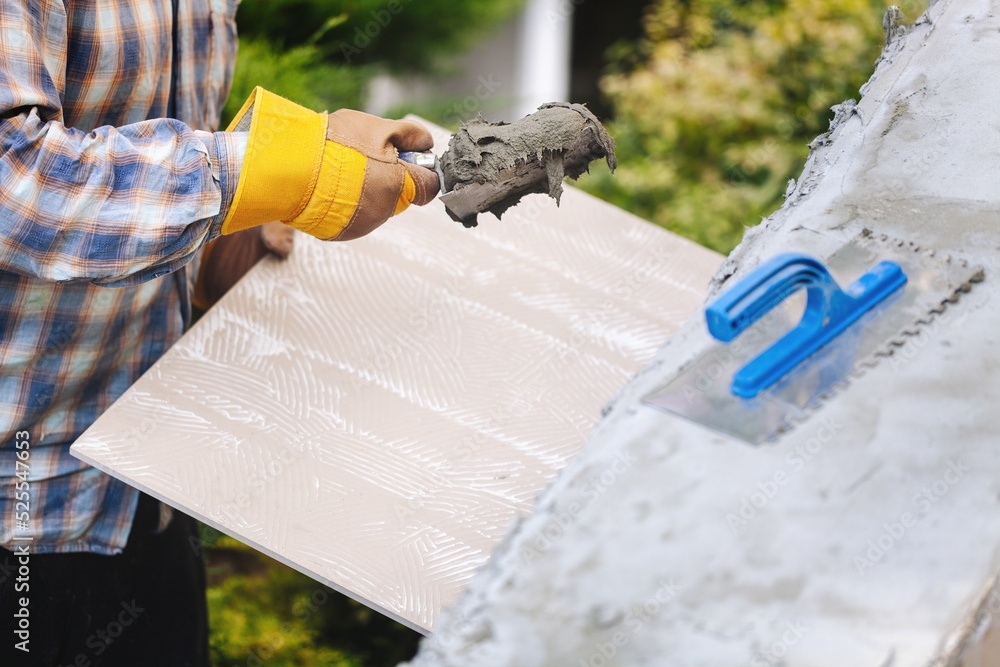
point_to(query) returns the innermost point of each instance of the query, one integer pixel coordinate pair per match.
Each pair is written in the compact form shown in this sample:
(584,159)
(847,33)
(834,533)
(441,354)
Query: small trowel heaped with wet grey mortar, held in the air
(491,166)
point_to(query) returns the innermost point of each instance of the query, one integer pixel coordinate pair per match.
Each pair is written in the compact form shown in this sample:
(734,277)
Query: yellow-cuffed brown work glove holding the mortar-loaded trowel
(333,176)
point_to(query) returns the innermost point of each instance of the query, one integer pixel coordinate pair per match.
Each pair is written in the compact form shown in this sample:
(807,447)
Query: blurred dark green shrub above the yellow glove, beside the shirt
(323,53)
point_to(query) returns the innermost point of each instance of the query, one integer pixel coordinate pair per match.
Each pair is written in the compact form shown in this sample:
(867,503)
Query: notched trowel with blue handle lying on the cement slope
(768,360)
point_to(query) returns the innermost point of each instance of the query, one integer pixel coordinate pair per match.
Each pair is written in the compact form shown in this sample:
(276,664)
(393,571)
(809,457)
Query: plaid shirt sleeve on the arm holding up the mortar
(116,205)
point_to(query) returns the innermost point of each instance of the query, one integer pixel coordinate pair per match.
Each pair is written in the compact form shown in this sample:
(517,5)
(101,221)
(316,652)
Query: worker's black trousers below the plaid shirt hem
(143,607)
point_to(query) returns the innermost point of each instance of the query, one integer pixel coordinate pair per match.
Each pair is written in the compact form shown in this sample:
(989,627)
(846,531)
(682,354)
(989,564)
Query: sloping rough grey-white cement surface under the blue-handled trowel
(869,535)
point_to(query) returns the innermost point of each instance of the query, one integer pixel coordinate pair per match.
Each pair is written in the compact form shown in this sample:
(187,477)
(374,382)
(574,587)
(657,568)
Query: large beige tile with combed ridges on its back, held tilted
(377,413)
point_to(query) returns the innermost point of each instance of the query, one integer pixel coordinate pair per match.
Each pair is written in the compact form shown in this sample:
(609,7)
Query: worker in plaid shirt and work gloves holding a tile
(113,181)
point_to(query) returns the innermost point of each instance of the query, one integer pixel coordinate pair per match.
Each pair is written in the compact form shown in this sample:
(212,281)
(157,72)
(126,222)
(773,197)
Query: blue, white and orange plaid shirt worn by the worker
(104,202)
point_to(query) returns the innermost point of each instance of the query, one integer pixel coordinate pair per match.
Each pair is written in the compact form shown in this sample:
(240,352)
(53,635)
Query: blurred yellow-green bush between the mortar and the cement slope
(715,108)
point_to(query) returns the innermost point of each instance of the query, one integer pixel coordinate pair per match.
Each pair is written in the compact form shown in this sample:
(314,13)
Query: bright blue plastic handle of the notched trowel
(829,311)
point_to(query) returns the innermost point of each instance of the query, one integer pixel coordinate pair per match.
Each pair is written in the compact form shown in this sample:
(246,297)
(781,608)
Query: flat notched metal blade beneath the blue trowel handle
(701,390)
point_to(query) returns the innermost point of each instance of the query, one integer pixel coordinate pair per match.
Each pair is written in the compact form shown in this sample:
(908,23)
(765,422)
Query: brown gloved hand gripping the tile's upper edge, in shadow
(227,259)
